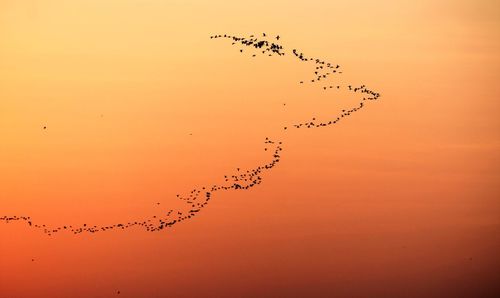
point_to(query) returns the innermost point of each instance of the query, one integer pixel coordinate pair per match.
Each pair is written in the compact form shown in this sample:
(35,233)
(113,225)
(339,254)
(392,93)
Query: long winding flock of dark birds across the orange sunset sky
(199,197)
